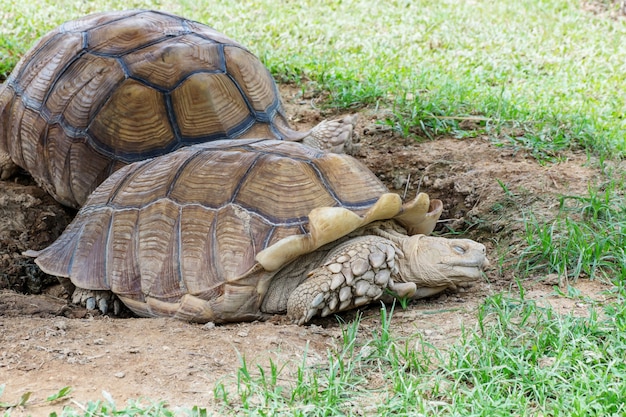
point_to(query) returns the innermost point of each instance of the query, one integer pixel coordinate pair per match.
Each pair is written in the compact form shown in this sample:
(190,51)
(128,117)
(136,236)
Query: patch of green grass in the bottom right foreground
(520,360)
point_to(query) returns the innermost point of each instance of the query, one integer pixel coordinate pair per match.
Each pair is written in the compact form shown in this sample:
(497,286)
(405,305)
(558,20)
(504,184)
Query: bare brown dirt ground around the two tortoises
(47,344)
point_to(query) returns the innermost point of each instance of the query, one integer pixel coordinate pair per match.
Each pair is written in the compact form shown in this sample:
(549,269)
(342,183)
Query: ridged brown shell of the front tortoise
(179,235)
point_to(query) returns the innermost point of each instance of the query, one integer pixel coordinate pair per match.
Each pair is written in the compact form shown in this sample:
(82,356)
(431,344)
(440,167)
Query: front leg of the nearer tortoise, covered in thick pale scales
(354,274)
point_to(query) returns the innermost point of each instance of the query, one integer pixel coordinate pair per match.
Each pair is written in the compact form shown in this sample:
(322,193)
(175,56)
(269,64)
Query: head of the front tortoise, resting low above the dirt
(439,262)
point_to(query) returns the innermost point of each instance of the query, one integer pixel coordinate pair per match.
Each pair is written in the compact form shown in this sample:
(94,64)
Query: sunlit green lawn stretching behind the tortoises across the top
(544,75)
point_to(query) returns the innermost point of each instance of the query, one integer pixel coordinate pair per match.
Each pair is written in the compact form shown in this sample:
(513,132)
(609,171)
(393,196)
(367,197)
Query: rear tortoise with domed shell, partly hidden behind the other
(114,88)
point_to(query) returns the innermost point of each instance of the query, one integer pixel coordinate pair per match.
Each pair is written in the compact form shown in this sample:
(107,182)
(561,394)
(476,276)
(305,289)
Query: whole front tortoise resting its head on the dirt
(240,230)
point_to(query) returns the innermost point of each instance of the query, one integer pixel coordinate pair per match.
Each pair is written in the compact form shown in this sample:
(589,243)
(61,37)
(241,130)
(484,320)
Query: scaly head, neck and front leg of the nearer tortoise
(361,269)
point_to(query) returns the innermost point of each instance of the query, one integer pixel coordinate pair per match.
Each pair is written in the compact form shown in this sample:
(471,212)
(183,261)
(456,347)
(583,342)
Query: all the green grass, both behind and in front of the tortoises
(541,75)
